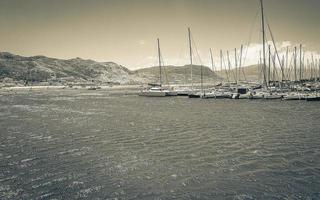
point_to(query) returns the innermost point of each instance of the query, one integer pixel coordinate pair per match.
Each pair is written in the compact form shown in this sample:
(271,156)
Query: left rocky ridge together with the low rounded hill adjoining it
(37,69)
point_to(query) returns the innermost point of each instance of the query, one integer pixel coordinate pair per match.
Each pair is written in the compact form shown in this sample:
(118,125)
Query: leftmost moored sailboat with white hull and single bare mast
(156,90)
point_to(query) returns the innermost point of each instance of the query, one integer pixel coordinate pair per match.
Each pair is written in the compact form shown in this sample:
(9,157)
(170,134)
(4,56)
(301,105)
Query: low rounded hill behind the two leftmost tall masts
(177,74)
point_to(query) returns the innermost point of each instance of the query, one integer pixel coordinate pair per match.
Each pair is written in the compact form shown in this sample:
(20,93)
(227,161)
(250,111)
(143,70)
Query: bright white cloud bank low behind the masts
(250,56)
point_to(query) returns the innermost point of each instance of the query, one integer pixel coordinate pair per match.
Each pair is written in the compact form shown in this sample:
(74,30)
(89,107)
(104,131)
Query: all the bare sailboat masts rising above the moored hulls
(273,66)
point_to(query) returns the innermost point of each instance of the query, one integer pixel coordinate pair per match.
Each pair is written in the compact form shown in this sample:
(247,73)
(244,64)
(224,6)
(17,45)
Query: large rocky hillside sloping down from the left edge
(44,69)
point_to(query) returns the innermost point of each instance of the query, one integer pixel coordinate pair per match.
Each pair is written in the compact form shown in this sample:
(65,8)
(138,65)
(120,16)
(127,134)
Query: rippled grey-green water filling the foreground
(79,144)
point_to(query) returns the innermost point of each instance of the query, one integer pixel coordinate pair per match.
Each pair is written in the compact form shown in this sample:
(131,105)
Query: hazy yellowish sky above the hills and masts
(125,31)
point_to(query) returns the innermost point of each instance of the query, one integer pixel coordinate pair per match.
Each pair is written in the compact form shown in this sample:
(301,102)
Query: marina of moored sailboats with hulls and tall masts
(287,86)
